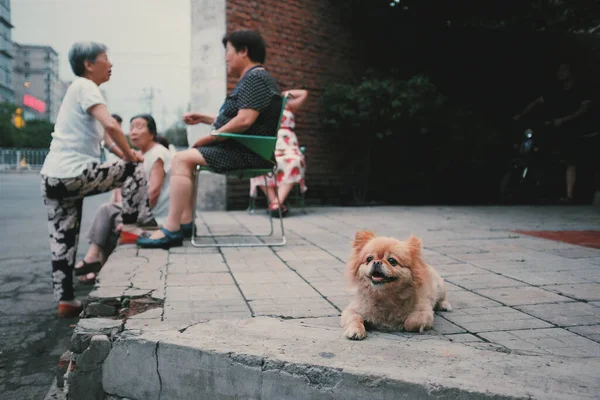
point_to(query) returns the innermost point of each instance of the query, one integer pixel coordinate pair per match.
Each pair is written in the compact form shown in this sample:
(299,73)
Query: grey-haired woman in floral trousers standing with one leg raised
(72,169)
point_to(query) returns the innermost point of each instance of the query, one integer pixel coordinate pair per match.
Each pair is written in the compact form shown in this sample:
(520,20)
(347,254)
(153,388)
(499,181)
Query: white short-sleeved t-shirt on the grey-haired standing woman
(77,134)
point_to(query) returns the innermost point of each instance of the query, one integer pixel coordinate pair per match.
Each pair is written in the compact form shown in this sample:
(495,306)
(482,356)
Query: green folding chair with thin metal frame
(264,146)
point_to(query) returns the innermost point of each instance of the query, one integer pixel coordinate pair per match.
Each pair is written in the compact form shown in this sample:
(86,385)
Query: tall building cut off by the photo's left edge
(7,93)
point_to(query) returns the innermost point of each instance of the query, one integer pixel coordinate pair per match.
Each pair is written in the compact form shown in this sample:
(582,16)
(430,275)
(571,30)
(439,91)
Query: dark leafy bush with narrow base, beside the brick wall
(377,107)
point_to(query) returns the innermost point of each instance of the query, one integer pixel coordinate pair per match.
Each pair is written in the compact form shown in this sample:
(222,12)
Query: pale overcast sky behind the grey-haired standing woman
(148,44)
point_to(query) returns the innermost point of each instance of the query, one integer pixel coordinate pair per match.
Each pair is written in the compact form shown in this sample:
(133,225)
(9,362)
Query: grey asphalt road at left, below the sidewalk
(32,338)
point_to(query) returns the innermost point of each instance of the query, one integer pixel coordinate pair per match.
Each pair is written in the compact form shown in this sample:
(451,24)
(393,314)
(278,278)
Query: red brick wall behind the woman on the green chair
(307,47)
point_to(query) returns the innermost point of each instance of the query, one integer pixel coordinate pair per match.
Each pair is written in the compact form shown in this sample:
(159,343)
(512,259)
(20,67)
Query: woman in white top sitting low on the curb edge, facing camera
(157,167)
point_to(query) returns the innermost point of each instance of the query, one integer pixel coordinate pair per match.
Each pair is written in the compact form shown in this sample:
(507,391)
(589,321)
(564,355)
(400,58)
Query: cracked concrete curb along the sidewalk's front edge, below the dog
(267,358)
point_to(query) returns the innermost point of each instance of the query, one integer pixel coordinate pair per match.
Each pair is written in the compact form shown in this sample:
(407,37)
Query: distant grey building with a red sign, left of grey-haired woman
(36,81)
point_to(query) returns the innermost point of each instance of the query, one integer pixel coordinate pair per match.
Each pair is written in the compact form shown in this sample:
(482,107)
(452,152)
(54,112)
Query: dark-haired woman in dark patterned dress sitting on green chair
(252,108)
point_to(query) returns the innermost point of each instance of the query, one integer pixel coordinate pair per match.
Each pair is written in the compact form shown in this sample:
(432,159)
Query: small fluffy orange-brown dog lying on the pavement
(395,289)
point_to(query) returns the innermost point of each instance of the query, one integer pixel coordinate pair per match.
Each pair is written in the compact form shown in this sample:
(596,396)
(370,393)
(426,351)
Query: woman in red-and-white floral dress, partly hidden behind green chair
(291,165)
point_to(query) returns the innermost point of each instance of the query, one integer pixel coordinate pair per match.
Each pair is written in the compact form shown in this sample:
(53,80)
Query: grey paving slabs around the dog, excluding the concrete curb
(515,291)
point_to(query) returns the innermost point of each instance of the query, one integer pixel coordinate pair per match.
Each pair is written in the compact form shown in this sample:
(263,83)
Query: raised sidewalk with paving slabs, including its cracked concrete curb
(518,302)
